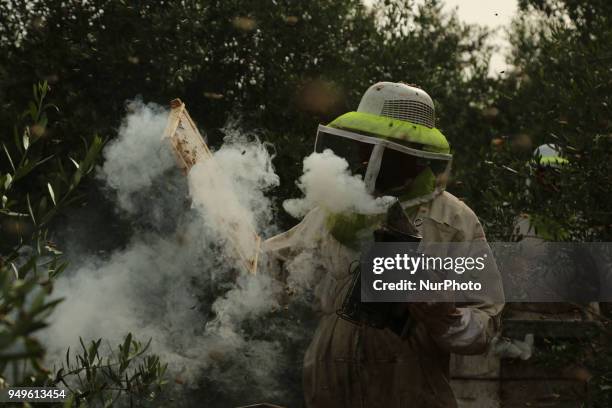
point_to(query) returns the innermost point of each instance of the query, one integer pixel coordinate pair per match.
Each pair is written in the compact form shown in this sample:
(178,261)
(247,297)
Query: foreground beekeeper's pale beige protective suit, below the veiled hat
(353,366)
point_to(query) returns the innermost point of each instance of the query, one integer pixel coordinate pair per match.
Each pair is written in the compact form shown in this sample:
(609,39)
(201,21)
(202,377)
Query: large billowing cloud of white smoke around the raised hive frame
(182,287)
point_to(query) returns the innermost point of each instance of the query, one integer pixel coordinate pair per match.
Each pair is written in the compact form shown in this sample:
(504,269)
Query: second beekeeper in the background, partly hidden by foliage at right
(581,276)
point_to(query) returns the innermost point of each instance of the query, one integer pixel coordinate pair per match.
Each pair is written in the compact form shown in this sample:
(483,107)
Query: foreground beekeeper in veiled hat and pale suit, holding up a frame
(392,142)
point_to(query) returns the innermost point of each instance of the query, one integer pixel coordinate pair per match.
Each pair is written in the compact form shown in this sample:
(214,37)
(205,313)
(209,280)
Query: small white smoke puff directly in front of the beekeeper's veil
(328,183)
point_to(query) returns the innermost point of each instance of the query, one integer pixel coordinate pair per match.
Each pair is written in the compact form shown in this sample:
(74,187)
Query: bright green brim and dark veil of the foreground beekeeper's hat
(390,165)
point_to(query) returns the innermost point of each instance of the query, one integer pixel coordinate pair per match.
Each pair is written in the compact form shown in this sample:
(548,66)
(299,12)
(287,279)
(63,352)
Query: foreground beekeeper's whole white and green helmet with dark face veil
(392,142)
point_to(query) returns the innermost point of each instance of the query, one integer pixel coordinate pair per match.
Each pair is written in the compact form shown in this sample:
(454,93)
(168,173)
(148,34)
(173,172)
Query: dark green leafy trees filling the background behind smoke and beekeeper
(284,66)
